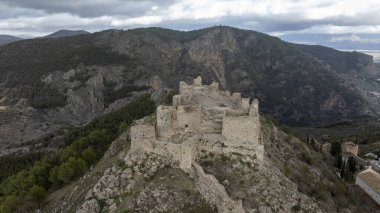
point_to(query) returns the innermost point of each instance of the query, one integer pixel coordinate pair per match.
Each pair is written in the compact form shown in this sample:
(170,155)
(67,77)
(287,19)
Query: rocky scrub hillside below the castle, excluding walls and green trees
(292,176)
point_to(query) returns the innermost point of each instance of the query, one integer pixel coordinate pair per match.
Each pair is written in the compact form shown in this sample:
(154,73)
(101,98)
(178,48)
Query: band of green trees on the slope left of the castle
(85,146)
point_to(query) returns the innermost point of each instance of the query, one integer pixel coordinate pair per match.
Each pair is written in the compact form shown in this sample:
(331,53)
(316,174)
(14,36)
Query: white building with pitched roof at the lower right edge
(369,181)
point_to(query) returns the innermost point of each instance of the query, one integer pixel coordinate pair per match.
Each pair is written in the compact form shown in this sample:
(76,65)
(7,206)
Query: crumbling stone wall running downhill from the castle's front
(210,189)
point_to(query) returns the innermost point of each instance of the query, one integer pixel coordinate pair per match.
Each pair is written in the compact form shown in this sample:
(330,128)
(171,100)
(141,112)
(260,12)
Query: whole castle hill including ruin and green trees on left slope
(188,156)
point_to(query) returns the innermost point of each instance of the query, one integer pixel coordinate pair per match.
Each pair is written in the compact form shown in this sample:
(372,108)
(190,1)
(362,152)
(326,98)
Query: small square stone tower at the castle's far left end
(142,138)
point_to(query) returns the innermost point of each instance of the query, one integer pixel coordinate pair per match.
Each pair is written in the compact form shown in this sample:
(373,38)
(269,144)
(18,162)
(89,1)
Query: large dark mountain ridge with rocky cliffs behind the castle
(46,83)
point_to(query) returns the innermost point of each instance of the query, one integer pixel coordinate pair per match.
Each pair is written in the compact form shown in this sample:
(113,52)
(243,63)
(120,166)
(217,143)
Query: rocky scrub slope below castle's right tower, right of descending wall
(260,185)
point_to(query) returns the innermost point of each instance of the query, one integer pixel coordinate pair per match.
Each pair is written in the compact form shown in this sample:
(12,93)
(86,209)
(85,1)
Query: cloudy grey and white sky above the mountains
(356,21)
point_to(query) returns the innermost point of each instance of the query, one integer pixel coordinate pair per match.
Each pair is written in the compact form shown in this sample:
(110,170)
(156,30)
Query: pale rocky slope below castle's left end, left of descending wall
(135,186)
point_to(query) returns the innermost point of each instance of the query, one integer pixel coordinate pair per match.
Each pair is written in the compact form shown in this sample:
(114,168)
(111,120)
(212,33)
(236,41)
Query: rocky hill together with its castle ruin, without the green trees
(208,152)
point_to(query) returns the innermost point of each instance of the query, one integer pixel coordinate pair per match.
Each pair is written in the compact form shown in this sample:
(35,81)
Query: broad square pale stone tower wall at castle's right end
(245,128)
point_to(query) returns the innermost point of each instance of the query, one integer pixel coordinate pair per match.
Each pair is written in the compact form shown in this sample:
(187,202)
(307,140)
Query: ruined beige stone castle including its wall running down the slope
(203,118)
